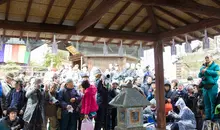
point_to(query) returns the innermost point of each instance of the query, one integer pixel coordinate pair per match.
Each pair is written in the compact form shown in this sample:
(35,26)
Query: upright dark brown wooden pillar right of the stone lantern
(159,76)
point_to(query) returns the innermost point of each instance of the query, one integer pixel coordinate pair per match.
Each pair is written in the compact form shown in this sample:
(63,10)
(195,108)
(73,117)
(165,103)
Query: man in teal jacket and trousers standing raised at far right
(209,73)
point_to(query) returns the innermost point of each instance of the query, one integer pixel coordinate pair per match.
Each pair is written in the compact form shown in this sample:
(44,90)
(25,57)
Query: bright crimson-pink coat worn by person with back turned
(89,101)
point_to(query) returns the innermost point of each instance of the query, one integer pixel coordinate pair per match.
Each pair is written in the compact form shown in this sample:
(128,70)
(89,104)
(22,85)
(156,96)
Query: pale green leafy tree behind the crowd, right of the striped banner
(54,60)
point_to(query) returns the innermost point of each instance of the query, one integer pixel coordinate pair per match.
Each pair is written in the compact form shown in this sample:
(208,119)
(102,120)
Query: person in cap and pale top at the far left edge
(5,87)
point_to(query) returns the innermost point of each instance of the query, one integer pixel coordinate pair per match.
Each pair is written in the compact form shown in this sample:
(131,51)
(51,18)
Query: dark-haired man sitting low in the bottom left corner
(11,122)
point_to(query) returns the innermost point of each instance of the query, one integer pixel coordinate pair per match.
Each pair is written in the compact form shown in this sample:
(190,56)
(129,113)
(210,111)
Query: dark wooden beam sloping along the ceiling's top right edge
(184,5)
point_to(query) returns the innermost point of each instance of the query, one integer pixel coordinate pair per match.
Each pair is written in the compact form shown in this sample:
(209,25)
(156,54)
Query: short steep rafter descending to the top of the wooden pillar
(153,21)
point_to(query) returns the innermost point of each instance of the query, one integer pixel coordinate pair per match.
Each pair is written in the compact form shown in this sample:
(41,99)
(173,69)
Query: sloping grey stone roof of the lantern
(128,98)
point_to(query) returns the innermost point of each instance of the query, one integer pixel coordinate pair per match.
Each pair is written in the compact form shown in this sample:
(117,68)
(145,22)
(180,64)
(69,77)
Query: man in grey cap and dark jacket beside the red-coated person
(69,100)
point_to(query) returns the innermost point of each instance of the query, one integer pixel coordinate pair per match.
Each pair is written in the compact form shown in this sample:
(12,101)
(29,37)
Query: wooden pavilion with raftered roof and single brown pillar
(154,22)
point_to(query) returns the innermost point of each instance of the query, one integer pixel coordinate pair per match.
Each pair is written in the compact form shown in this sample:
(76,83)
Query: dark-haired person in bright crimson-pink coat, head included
(89,105)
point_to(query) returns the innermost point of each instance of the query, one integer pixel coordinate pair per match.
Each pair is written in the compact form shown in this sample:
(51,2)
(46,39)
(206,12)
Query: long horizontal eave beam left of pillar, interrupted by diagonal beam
(62,29)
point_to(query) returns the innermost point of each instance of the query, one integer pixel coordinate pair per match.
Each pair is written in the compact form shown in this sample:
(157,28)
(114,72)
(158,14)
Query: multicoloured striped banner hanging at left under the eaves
(14,53)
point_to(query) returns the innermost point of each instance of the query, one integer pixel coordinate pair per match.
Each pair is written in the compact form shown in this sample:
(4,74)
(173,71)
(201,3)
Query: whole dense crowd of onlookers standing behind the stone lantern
(61,100)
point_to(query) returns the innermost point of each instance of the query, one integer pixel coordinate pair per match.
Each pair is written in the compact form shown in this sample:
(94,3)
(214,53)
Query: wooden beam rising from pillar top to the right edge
(190,28)
